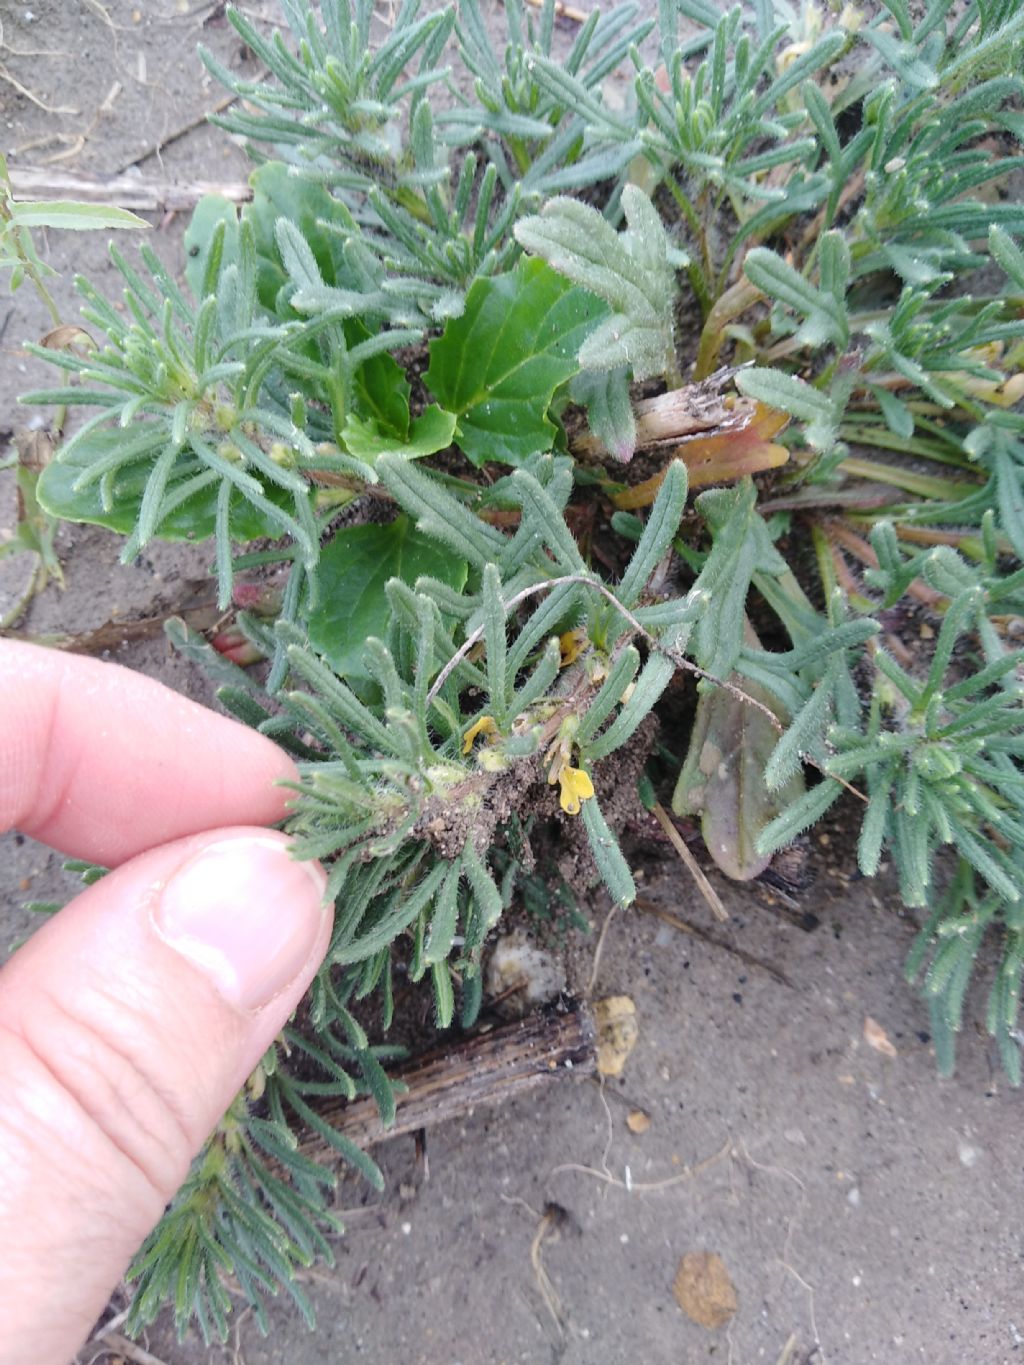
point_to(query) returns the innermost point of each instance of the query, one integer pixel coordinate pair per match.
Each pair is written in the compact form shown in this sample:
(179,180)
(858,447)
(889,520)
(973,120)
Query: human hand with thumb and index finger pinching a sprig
(132,1019)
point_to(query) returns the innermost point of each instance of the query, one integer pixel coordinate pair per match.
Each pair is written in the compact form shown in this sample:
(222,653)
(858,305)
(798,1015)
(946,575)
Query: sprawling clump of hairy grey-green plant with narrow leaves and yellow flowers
(413,321)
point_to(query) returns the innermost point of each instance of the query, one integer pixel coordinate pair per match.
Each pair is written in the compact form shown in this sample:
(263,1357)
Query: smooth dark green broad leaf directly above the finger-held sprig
(354,570)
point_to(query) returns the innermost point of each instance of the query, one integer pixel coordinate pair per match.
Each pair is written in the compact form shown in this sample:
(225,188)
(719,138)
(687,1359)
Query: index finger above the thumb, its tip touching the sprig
(103,764)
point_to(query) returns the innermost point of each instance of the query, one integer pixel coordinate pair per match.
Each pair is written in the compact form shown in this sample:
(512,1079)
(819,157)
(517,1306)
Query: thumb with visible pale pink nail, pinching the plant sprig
(128,1026)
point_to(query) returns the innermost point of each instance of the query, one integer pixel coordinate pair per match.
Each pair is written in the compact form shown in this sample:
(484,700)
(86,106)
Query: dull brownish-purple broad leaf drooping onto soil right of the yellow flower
(723,779)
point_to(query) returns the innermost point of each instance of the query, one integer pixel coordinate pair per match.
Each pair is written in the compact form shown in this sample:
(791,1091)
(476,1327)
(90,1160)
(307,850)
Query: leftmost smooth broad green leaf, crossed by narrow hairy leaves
(195,519)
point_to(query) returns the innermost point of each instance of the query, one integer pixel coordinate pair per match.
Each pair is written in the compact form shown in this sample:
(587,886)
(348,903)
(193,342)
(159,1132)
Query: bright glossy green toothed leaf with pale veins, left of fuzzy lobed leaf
(498,367)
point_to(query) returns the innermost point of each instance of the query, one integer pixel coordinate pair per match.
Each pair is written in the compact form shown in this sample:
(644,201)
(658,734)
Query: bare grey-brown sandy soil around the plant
(865,1210)
